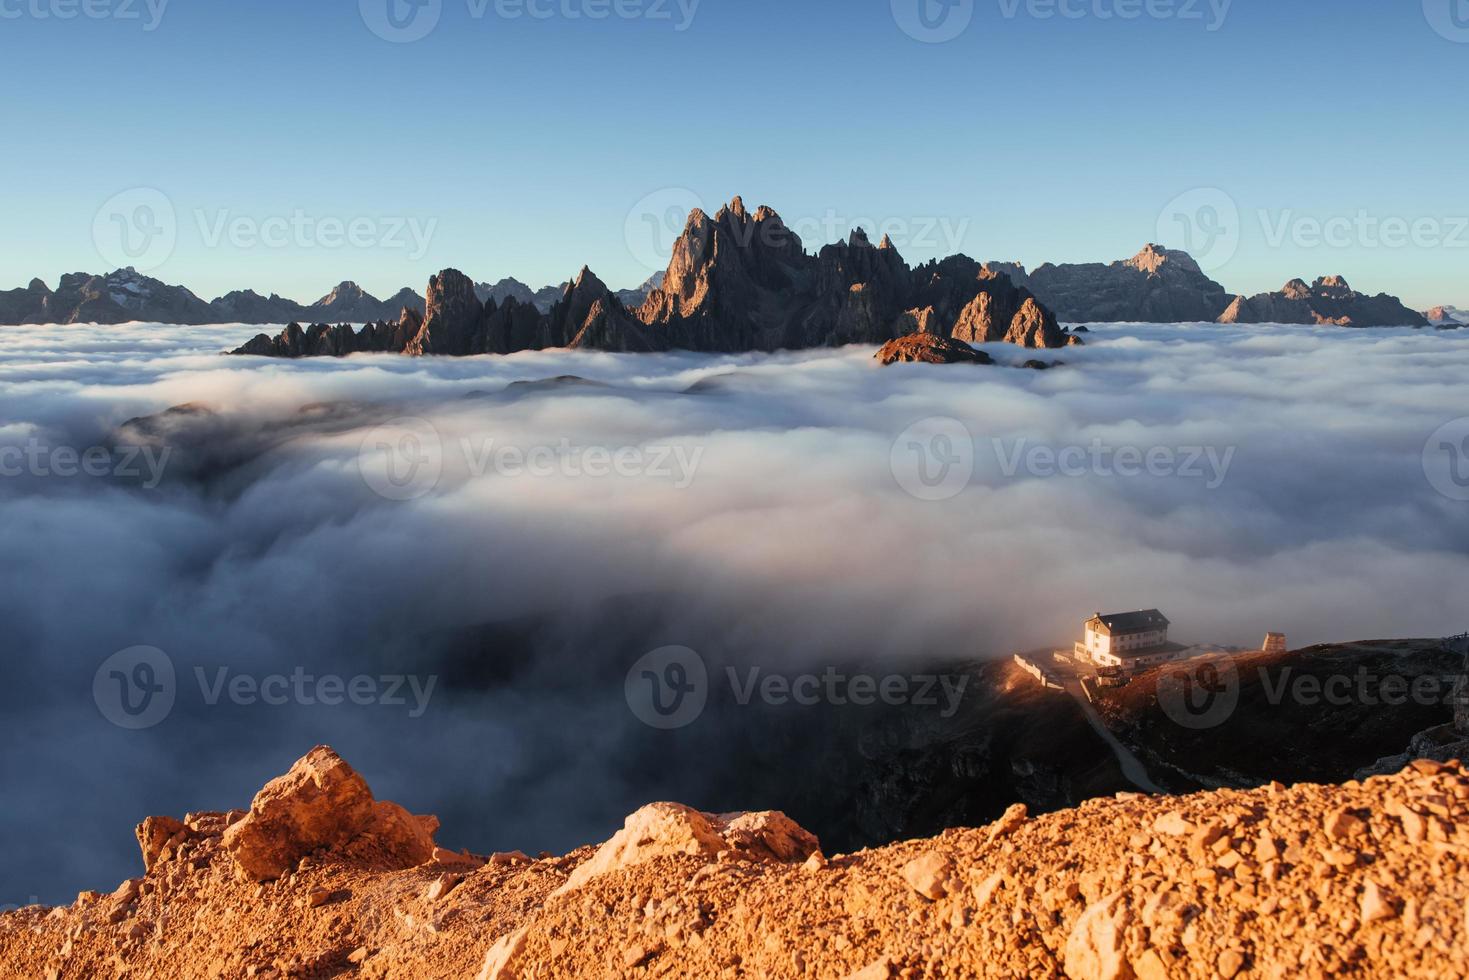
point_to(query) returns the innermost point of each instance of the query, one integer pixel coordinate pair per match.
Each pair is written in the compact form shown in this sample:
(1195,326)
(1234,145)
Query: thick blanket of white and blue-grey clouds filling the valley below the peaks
(521,546)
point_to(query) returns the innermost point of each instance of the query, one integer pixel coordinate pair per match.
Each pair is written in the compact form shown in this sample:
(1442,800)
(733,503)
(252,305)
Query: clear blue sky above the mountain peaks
(530,146)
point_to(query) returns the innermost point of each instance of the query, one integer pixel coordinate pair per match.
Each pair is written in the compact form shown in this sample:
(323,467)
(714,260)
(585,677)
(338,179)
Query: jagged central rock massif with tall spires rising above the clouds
(738,281)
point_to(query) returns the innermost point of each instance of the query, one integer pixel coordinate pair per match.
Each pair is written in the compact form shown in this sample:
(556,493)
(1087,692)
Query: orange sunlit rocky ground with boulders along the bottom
(320,881)
